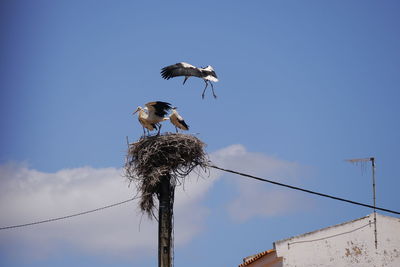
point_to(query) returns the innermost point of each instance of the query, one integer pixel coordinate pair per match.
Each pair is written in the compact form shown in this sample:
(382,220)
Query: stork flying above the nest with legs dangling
(184,69)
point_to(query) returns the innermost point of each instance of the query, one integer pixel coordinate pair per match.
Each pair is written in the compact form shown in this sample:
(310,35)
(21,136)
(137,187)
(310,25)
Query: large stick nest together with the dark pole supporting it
(175,155)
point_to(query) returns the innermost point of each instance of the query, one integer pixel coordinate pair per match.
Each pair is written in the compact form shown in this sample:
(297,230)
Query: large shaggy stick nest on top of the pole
(153,157)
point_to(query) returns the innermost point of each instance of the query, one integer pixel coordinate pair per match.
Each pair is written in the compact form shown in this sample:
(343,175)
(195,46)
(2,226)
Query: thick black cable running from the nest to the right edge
(304,190)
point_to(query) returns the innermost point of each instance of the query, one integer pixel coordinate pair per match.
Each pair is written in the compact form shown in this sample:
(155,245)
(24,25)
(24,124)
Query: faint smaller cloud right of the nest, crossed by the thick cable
(255,198)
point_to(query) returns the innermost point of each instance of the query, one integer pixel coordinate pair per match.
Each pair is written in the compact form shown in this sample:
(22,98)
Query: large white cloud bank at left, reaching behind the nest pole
(28,195)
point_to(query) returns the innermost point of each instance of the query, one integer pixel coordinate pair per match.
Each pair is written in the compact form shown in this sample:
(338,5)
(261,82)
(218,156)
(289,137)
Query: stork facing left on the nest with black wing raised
(153,113)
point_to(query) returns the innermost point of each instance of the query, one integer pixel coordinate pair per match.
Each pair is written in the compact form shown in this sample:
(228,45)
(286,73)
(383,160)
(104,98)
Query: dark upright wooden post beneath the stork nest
(164,222)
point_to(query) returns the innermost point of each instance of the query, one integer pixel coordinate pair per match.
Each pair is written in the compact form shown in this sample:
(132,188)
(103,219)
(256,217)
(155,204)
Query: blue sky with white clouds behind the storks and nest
(303,86)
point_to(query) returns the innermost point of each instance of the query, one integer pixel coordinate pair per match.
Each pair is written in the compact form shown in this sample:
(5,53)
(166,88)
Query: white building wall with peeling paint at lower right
(347,244)
